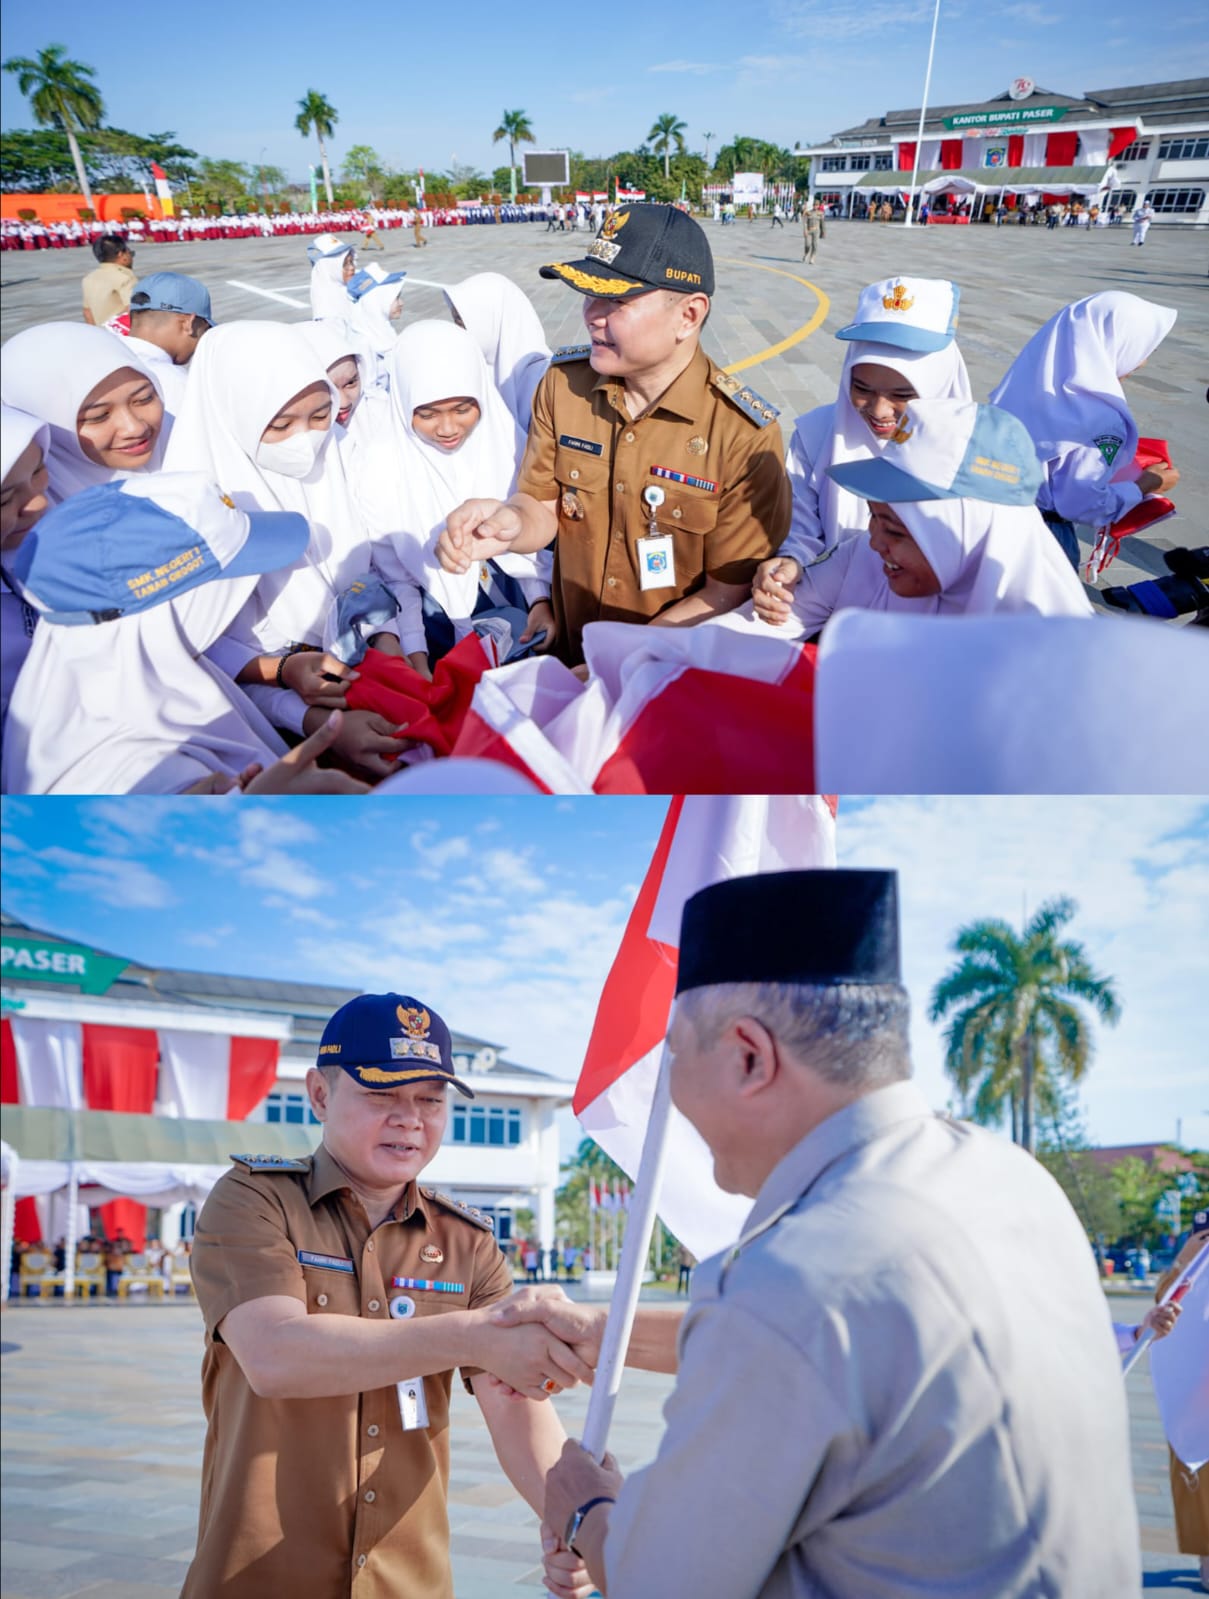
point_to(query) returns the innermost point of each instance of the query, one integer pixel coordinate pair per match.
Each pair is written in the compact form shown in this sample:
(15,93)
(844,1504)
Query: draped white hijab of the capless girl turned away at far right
(1066,385)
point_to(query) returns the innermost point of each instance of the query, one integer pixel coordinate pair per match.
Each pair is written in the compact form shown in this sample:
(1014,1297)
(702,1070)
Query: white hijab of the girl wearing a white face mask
(244,373)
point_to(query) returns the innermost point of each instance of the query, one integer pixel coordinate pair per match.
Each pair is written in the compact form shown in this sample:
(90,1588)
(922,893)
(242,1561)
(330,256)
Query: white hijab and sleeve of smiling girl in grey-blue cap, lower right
(989,559)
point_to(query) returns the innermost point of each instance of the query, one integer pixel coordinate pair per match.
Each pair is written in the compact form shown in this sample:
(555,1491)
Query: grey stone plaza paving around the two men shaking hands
(103,1454)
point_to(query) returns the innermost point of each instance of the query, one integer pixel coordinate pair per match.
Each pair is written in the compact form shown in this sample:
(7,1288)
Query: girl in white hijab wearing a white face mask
(258,420)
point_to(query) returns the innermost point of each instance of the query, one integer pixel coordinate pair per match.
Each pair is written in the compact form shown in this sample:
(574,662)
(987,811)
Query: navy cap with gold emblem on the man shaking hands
(385,1042)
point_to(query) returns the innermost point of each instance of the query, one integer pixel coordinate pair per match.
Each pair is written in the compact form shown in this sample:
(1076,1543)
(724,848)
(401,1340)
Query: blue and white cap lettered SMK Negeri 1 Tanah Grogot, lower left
(124,548)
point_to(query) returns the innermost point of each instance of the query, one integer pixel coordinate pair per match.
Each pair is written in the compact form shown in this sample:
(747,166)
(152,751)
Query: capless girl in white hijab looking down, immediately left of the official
(450,439)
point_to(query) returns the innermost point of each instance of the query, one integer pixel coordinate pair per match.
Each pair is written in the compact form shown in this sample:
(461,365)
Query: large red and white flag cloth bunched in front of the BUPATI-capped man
(664,711)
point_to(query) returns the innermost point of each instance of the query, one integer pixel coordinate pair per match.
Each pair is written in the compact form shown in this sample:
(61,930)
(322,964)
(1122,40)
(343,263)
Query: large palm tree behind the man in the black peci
(1016,1031)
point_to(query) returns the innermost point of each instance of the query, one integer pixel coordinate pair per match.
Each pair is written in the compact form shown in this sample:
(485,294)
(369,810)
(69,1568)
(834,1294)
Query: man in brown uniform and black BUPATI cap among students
(658,477)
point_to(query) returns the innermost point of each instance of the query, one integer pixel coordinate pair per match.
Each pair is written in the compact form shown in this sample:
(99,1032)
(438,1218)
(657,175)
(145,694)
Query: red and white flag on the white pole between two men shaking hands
(704,840)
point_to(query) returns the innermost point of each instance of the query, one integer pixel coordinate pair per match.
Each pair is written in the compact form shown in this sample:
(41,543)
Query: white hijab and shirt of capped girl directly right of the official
(823,511)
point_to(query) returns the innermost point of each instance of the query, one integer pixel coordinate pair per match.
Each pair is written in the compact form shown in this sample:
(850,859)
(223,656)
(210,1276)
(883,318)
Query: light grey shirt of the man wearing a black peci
(903,1382)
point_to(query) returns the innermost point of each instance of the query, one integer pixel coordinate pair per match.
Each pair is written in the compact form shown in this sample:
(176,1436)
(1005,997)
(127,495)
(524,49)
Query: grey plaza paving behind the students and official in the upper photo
(773,316)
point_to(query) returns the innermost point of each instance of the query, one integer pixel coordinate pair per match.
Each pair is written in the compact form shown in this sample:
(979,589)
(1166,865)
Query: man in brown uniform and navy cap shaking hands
(338,1298)
